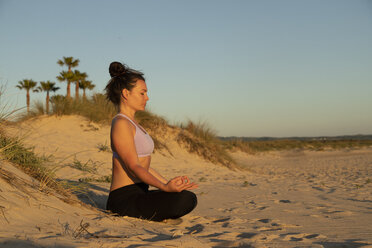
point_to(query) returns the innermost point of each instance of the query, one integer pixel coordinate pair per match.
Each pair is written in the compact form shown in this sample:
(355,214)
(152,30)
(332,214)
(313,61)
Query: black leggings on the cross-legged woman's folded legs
(136,200)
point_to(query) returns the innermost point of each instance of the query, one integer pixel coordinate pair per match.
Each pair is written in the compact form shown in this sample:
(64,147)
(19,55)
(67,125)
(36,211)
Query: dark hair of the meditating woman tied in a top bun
(122,77)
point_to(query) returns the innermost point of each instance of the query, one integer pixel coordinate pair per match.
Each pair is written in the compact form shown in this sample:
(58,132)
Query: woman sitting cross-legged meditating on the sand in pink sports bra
(132,148)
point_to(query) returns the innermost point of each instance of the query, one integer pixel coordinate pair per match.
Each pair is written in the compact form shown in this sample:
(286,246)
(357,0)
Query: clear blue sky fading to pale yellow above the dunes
(248,68)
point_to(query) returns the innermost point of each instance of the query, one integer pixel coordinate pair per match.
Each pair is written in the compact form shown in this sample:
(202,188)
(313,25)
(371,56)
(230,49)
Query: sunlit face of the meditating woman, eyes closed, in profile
(137,97)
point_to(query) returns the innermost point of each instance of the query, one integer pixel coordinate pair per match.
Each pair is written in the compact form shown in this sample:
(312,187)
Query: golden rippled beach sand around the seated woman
(280,199)
